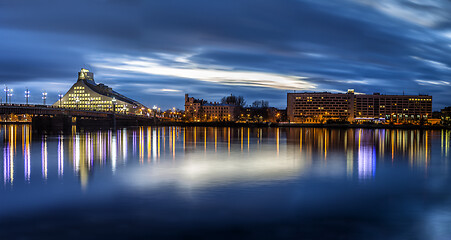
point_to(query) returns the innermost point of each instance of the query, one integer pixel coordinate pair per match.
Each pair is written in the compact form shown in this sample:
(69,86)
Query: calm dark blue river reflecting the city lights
(224,183)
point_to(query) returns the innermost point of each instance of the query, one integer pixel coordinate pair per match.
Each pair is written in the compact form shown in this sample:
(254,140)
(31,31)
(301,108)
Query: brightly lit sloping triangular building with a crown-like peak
(85,94)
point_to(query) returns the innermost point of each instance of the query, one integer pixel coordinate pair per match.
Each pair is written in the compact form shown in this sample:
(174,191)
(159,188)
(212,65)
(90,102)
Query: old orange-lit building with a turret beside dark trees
(201,110)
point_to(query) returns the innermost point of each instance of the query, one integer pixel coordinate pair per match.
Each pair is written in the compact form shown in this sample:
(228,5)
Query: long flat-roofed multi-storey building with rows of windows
(320,107)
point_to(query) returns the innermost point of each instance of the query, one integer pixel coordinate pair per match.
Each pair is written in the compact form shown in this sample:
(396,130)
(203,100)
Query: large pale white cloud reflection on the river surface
(198,170)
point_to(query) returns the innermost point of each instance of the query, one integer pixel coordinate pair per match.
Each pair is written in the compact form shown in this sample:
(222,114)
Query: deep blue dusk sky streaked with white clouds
(156,51)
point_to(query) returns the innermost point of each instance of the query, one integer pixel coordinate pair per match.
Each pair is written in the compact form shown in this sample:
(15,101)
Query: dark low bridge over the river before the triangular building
(50,117)
